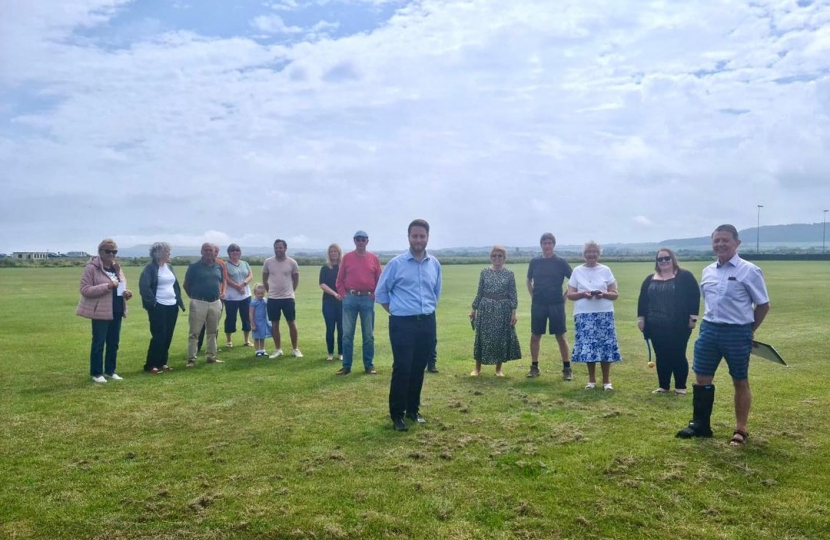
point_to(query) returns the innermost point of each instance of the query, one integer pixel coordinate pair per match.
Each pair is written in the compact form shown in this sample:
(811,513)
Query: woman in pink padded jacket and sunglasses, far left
(104,296)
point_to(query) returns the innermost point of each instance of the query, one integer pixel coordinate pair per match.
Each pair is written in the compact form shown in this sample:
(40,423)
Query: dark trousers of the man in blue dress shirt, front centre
(413,341)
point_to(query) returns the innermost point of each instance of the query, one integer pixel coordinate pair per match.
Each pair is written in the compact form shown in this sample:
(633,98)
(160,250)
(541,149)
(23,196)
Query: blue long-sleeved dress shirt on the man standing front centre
(410,287)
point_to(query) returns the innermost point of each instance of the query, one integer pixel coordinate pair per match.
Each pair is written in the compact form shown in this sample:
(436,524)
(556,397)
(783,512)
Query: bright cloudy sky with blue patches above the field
(244,121)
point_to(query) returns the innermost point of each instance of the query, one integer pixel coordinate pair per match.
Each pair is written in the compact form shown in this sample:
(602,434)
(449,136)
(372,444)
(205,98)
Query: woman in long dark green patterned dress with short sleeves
(494,315)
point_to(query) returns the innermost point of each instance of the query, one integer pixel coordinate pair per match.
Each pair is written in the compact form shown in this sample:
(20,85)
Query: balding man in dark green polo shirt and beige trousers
(204,284)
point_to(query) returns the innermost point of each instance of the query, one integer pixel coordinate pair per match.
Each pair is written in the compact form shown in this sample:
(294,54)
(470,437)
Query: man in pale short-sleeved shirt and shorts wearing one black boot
(735,304)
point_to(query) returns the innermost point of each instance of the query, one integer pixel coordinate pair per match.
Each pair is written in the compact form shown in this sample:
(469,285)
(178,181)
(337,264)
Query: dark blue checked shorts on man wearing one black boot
(732,343)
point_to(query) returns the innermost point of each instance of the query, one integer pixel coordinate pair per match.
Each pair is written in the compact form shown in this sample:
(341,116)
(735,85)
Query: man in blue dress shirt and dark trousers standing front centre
(408,290)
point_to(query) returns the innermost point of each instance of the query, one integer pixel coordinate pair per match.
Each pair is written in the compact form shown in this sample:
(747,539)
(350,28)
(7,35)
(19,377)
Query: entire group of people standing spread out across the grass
(409,287)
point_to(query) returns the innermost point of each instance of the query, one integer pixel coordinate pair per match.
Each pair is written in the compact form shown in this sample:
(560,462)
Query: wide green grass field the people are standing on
(284,449)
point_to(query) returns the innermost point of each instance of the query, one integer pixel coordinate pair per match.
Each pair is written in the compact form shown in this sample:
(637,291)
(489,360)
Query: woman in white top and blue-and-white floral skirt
(593,289)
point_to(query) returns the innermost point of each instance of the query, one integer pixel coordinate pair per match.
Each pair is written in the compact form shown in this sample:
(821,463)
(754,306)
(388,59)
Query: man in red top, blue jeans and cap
(356,281)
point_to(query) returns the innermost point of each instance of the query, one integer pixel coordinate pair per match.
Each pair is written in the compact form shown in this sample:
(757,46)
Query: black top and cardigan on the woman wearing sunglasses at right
(668,303)
